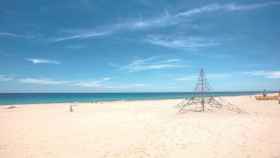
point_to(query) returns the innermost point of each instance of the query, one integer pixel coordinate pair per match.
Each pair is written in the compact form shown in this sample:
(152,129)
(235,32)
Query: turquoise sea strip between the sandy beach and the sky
(35,98)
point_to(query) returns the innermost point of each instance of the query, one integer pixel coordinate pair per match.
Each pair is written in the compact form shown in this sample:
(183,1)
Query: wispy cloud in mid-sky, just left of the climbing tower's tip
(153,63)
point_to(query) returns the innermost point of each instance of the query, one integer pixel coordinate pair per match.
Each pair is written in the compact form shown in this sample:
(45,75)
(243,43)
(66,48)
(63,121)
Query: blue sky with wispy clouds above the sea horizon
(138,45)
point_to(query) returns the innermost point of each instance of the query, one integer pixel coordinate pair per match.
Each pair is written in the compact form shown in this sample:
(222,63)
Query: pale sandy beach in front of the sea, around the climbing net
(143,128)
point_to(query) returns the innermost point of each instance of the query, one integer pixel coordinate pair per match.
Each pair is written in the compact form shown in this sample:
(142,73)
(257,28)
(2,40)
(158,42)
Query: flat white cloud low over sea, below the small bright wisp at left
(40,81)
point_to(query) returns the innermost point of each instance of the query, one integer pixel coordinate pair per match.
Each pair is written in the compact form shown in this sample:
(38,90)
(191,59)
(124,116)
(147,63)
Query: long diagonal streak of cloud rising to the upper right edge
(166,19)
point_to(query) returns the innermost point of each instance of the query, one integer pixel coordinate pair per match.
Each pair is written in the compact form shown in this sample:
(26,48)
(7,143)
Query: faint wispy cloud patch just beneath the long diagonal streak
(185,43)
